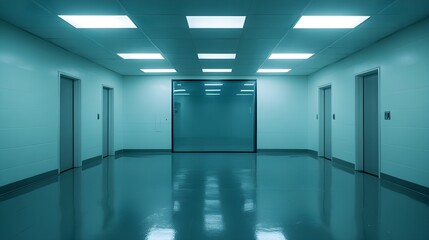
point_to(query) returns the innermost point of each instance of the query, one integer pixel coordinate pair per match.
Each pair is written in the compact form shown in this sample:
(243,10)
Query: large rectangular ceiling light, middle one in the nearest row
(216,21)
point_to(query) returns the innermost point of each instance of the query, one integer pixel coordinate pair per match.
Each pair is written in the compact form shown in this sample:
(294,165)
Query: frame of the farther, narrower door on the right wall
(321,119)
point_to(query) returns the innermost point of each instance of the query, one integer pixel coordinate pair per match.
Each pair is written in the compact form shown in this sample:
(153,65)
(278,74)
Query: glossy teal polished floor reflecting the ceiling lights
(214,196)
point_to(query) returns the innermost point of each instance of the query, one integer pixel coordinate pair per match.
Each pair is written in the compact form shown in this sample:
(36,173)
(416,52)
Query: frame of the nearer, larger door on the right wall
(359,166)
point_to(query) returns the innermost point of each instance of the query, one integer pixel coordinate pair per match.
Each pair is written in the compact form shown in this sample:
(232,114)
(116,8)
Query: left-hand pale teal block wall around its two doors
(29,104)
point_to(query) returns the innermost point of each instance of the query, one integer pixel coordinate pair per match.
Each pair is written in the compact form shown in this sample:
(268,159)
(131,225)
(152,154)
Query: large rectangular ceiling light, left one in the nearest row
(99,21)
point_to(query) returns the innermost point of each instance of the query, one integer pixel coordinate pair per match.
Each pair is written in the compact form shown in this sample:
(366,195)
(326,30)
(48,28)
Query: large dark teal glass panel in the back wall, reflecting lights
(214,116)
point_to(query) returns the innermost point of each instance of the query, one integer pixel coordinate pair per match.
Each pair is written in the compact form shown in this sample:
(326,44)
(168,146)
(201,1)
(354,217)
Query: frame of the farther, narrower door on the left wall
(110,150)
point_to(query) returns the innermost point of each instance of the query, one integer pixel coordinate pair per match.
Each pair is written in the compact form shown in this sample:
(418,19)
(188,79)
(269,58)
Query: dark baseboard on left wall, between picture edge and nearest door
(19,185)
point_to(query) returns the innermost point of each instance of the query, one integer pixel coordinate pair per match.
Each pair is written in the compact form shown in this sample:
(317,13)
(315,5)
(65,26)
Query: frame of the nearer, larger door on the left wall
(77,161)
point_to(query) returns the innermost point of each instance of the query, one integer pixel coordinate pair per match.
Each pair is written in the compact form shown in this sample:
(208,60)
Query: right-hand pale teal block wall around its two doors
(404,83)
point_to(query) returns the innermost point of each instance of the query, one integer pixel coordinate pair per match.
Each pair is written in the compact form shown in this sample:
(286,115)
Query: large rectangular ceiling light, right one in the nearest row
(330,21)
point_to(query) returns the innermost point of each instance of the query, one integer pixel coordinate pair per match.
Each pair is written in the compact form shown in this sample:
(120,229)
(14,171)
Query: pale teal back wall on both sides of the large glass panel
(281,111)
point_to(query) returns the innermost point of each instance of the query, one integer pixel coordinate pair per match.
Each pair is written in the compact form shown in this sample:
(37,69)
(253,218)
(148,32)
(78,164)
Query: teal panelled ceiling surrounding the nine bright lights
(162,28)
